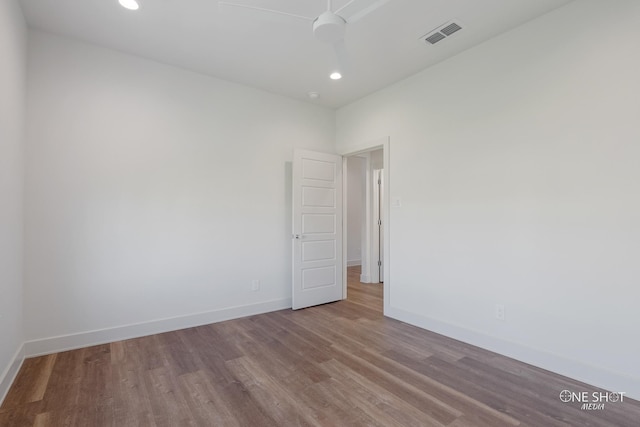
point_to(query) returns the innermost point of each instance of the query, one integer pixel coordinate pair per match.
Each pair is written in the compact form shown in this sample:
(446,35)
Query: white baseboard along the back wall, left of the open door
(102,336)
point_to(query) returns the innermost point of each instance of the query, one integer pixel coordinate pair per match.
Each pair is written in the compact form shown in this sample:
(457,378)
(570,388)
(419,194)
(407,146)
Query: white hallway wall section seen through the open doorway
(355,208)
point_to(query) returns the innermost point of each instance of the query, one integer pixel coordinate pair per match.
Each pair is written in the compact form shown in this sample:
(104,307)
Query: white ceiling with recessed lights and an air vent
(278,53)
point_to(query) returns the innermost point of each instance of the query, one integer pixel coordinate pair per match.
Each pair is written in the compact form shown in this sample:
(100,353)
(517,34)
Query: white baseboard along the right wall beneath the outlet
(577,370)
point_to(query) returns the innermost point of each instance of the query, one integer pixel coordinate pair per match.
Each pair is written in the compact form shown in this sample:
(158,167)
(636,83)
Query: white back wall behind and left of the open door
(153,193)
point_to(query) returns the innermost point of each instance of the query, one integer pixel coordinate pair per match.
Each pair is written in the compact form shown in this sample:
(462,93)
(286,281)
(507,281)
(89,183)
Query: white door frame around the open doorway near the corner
(352,150)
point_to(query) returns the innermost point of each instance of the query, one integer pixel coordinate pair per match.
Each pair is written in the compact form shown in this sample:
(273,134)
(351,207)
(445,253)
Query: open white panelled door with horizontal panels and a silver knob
(317,228)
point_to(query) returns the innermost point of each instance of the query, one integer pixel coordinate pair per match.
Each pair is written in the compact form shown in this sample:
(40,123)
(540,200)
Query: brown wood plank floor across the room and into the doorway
(340,364)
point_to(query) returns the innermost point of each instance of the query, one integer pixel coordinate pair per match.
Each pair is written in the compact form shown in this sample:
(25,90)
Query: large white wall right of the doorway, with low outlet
(517,167)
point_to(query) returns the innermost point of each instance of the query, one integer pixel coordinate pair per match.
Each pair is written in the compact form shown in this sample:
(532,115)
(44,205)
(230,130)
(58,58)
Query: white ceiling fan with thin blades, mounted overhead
(330,26)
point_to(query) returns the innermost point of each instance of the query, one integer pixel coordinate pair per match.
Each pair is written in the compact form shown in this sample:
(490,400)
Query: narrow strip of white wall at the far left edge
(13,44)
